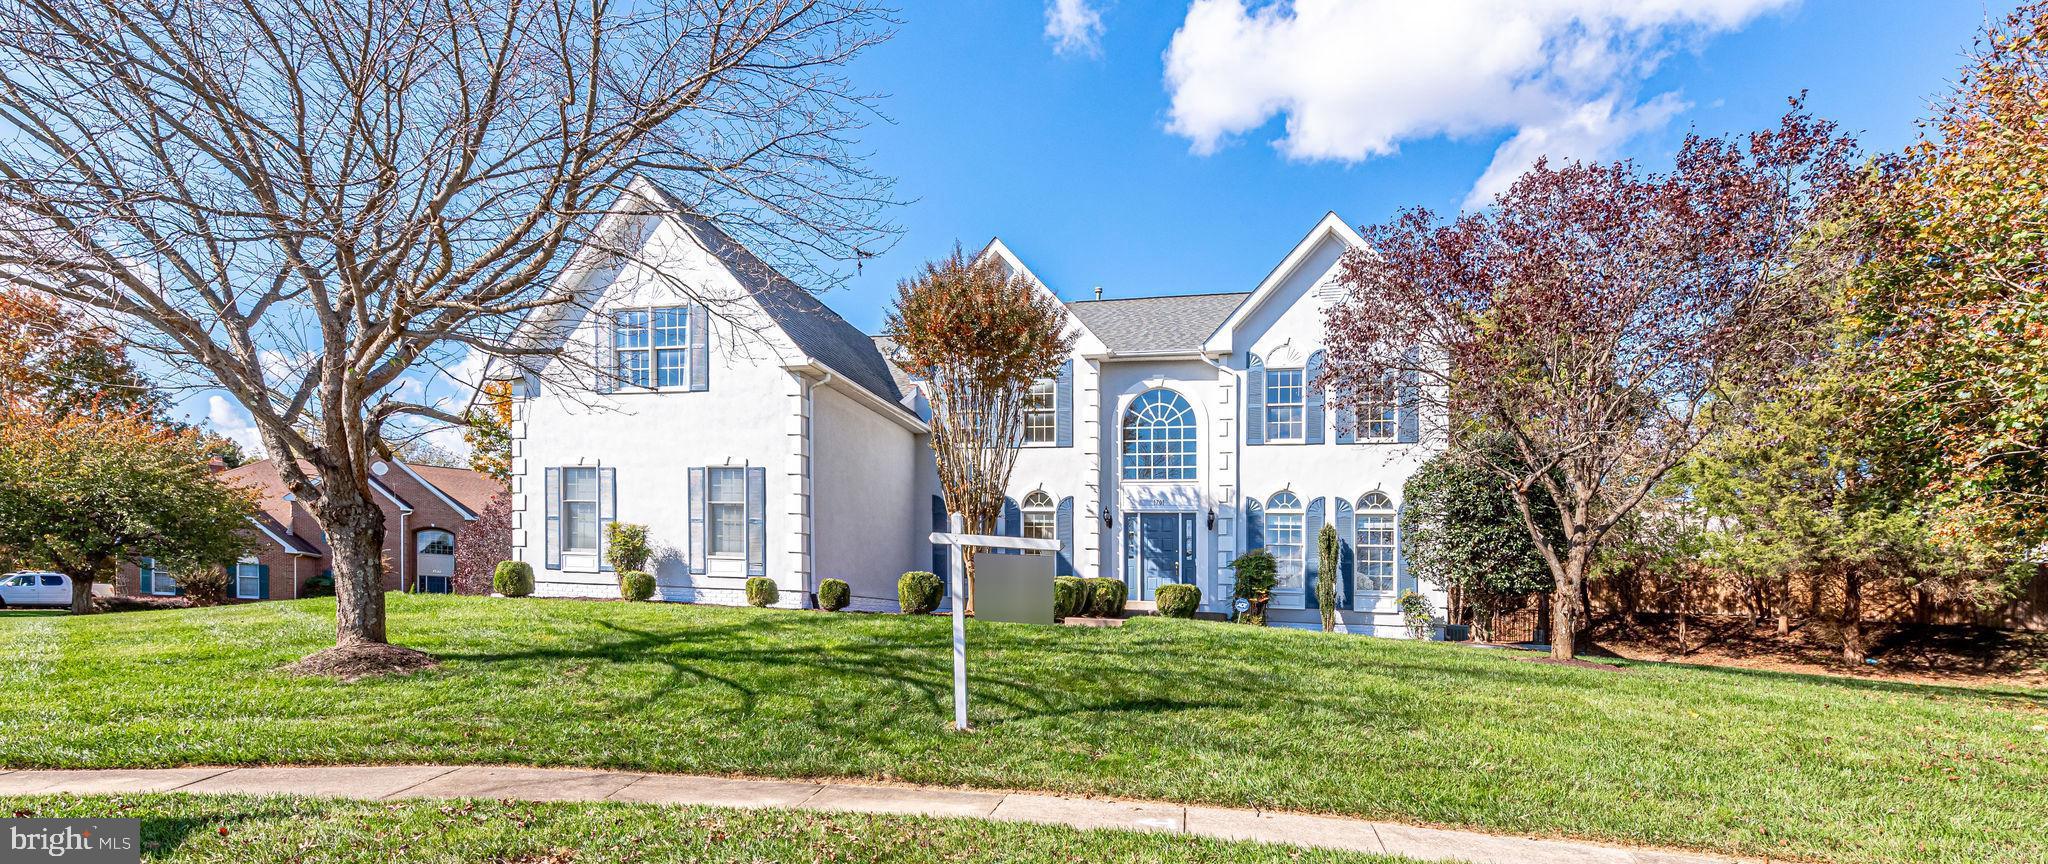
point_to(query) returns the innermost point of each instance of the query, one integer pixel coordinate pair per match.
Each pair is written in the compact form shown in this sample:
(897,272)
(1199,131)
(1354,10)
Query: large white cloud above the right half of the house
(1355,79)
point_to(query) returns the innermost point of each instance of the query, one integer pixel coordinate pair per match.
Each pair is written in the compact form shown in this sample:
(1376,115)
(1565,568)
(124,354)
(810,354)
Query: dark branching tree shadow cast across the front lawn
(921,671)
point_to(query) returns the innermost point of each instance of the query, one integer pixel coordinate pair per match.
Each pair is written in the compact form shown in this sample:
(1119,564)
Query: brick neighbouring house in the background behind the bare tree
(427,517)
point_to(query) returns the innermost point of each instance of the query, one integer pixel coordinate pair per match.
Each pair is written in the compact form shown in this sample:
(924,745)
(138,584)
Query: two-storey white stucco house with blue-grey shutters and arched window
(757,433)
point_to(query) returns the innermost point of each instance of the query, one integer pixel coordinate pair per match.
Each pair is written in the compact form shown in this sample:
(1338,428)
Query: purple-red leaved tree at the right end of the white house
(1596,316)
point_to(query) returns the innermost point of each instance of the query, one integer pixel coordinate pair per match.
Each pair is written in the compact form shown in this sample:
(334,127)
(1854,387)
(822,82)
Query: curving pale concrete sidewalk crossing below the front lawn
(384,783)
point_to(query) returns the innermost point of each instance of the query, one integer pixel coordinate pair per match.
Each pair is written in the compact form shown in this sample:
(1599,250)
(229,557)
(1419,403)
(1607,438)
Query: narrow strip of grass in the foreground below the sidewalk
(347,832)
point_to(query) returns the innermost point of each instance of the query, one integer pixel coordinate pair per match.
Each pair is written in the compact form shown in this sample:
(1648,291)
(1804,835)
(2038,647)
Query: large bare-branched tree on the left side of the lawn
(318,206)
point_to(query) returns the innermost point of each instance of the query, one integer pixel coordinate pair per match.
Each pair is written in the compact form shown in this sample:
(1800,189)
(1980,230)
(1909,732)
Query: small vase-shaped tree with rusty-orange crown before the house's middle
(976,337)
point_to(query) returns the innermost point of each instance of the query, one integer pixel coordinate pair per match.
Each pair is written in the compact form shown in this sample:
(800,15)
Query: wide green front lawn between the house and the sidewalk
(1725,761)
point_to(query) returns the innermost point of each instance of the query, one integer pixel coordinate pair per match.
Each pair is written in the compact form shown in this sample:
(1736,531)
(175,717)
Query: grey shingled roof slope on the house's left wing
(820,333)
